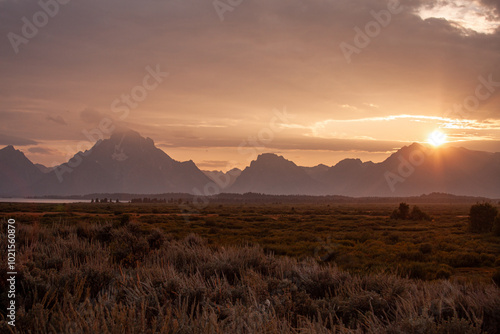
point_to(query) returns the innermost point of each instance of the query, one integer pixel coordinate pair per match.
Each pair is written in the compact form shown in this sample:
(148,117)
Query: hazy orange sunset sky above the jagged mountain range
(219,82)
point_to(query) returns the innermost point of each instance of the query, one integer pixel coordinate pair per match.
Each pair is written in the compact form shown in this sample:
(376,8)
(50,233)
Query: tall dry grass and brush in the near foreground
(100,278)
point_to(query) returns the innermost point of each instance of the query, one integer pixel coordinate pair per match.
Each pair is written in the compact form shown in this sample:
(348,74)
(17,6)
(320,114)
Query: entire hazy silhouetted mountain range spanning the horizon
(129,163)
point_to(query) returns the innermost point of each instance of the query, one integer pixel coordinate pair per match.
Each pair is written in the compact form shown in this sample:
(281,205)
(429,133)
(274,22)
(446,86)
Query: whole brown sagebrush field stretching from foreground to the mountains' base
(267,268)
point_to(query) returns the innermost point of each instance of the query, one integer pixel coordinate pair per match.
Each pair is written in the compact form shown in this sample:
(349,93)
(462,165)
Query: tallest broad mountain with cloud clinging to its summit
(124,163)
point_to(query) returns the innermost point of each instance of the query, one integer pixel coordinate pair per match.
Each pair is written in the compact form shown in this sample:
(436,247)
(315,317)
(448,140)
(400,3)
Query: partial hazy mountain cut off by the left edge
(17,173)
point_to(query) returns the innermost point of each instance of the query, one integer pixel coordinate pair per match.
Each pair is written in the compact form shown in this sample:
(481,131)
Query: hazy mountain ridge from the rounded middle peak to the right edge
(411,171)
